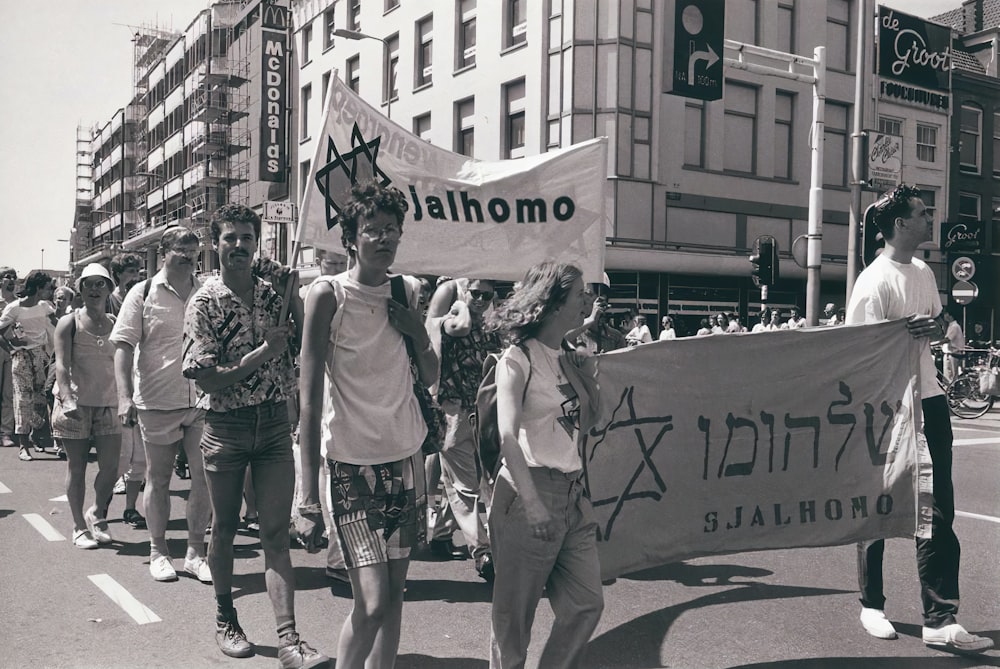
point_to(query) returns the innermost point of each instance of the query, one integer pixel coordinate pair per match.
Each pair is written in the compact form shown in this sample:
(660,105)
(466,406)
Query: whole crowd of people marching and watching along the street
(235,370)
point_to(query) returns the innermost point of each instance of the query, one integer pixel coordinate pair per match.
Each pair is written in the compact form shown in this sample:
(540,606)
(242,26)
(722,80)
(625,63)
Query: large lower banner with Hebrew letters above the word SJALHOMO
(733,443)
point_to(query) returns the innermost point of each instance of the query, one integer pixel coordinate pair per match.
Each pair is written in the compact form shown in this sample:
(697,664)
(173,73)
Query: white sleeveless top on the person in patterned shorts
(371,415)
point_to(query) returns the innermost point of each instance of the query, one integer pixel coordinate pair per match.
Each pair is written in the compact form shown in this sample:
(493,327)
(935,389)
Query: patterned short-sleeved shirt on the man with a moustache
(219,329)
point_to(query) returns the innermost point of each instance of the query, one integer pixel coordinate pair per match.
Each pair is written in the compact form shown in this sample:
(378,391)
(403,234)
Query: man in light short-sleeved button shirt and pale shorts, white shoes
(155,398)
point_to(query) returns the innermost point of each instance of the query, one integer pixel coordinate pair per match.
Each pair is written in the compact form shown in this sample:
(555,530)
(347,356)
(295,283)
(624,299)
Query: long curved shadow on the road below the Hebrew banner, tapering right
(644,636)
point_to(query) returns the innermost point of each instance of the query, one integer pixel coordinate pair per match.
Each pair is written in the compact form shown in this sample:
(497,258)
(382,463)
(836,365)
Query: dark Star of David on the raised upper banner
(343,170)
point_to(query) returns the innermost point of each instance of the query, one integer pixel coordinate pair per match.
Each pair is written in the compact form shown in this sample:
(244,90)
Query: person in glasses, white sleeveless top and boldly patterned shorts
(360,412)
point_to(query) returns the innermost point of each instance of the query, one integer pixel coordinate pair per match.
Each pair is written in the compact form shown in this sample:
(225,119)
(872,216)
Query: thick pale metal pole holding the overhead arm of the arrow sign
(815,235)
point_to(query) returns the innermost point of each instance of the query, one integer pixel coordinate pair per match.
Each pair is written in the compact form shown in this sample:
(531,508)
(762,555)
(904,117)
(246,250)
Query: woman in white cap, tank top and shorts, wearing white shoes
(86,402)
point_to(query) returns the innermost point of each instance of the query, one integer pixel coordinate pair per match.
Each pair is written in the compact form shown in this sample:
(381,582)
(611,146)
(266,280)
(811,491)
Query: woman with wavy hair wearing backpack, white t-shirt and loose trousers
(542,526)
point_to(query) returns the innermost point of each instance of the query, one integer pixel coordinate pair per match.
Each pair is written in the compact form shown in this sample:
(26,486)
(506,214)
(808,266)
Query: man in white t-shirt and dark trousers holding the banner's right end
(897,285)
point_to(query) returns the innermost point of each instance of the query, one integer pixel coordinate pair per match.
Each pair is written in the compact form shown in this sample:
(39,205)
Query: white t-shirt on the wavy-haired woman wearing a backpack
(550,412)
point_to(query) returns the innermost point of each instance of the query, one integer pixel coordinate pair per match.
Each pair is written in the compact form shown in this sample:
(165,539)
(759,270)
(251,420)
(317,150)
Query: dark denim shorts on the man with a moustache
(259,434)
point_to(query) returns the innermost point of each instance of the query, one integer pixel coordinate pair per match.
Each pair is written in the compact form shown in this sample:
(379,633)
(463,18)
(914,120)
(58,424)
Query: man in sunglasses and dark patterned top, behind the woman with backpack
(455,317)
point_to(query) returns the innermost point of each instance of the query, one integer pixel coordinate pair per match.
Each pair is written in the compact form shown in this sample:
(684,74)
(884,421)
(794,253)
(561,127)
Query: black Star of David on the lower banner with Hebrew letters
(634,424)
